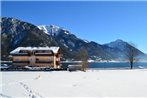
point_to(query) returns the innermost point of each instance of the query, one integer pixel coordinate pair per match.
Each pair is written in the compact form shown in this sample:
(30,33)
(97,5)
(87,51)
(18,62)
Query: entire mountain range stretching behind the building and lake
(16,33)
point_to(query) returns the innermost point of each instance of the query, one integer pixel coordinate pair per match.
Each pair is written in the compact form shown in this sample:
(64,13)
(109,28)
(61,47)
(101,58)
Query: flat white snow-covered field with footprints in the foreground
(93,83)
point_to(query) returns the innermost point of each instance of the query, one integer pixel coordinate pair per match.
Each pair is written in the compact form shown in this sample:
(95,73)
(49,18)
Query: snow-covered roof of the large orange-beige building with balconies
(54,49)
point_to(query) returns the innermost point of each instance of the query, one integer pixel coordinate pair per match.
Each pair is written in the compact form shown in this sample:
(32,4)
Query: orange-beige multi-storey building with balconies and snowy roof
(36,57)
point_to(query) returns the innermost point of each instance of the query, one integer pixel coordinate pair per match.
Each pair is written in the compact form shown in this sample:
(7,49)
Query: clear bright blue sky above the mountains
(97,21)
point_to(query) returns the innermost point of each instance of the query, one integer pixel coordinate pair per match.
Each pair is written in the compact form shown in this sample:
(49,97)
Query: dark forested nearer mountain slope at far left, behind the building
(16,33)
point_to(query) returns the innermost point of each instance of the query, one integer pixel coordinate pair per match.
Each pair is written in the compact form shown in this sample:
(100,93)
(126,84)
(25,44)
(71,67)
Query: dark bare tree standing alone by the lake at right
(131,54)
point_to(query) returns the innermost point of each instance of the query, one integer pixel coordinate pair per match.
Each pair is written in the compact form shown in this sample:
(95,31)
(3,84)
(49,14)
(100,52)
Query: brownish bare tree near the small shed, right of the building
(84,58)
